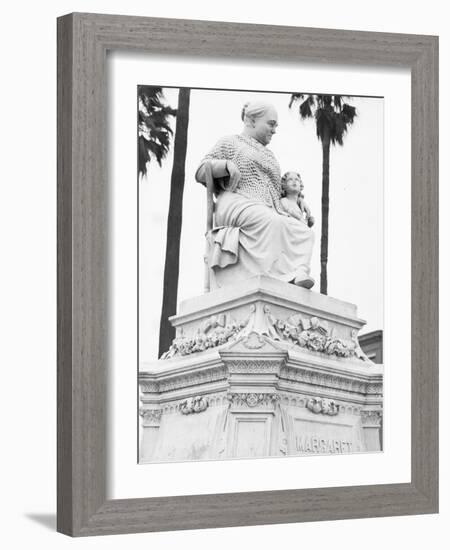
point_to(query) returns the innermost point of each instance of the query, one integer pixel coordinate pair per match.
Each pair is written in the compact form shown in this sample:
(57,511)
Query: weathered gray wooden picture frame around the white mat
(83,40)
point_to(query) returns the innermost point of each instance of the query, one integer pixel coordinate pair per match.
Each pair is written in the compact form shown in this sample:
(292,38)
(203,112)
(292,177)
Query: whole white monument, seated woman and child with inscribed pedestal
(258,367)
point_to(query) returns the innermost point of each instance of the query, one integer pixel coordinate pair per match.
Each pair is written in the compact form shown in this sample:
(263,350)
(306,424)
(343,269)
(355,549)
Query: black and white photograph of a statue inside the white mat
(260,273)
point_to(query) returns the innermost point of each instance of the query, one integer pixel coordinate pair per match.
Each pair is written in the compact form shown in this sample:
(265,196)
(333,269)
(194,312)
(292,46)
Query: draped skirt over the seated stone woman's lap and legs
(251,238)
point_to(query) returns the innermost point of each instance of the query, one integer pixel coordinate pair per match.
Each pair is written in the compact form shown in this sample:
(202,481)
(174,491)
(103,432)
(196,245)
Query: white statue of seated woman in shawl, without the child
(253,233)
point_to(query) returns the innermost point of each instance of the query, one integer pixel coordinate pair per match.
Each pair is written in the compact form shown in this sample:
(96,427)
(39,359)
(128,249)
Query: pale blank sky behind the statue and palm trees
(355,262)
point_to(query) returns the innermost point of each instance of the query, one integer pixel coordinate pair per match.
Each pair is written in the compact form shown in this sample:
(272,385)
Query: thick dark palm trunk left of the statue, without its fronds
(174,221)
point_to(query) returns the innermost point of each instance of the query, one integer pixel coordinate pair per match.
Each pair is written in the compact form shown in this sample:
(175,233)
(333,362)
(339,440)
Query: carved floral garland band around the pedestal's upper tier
(310,333)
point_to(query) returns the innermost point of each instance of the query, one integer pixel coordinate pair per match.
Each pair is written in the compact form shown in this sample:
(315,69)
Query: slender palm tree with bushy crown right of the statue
(333,117)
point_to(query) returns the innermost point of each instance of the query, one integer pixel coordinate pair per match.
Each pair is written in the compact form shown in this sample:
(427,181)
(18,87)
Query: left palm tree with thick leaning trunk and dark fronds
(154,141)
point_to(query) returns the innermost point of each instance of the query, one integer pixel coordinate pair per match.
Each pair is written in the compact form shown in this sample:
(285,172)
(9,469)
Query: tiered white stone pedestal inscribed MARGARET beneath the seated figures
(261,369)
